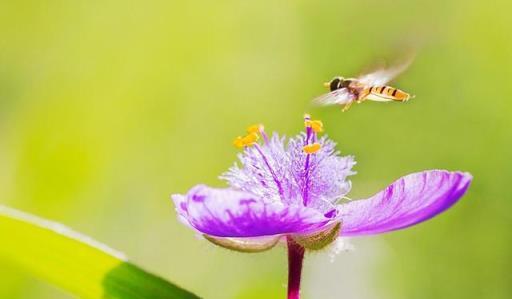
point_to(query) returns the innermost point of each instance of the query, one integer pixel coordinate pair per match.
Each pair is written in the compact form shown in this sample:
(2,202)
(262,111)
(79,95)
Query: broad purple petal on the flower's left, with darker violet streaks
(230,213)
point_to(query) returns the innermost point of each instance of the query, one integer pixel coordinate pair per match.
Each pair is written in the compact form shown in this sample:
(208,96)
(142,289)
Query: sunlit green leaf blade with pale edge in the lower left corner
(75,262)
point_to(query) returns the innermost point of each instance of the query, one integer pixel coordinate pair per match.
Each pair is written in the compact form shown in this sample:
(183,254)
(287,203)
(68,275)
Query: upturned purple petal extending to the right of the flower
(409,200)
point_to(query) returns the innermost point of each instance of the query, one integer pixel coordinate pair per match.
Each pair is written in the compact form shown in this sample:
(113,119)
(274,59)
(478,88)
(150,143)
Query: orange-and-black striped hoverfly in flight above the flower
(370,86)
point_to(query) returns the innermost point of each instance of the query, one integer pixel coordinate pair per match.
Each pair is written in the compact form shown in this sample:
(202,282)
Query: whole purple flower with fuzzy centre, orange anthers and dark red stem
(295,190)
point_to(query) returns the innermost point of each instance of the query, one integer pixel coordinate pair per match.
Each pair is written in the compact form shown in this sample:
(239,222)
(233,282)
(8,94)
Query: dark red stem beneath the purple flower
(295,258)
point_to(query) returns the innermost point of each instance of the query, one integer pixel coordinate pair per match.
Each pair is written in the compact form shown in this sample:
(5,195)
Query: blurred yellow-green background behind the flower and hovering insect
(108,107)
